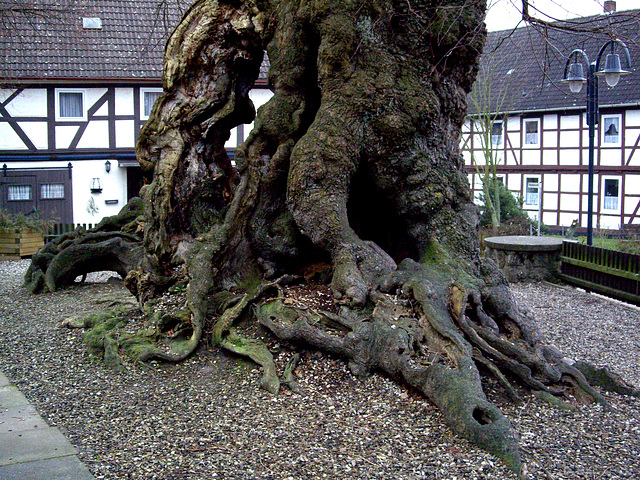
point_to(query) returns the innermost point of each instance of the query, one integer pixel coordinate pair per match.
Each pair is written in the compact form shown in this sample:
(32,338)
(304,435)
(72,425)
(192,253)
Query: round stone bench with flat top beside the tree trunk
(525,259)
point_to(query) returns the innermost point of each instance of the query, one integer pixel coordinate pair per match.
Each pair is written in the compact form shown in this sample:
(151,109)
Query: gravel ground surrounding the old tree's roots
(206,418)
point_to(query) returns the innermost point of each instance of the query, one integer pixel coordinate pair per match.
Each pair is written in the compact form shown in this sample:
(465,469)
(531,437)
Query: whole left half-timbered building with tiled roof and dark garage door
(74,92)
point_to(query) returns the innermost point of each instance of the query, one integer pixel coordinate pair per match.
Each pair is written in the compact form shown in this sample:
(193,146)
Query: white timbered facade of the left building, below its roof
(36,132)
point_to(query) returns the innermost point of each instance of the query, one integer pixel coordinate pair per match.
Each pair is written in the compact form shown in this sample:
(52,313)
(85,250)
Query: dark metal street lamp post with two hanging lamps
(574,76)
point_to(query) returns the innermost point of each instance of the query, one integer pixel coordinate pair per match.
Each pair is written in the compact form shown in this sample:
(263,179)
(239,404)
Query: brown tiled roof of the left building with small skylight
(127,43)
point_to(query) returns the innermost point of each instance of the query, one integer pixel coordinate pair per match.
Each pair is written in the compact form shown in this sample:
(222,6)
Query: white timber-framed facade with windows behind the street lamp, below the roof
(551,149)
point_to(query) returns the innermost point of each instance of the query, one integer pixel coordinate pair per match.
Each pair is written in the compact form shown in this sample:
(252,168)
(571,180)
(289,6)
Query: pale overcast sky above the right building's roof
(504,14)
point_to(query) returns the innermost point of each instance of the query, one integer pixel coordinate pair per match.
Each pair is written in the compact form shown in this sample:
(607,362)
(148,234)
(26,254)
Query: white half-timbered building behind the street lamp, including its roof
(540,135)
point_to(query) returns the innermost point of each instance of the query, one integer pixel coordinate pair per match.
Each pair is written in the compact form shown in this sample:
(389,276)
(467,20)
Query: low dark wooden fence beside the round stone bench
(612,273)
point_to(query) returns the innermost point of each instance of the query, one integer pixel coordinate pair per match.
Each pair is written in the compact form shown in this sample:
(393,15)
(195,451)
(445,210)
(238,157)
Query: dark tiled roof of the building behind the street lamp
(526,65)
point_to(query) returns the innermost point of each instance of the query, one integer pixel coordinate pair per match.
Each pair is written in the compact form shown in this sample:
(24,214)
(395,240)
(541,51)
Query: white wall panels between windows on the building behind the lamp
(568,147)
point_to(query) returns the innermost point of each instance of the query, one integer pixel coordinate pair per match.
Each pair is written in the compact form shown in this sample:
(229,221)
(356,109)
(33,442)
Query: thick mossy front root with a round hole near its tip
(402,345)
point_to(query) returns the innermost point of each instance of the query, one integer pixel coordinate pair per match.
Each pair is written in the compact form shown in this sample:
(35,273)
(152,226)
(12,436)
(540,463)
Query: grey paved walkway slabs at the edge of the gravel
(29,448)
